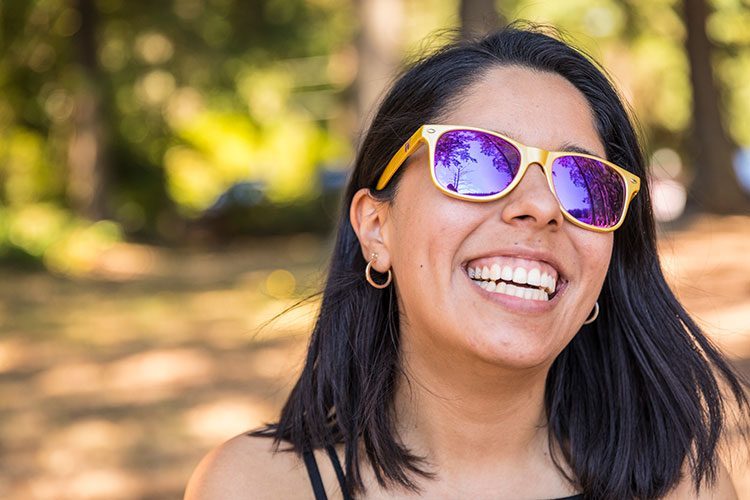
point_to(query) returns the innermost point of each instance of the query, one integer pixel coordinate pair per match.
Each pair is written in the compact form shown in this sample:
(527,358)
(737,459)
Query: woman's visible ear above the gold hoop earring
(368,217)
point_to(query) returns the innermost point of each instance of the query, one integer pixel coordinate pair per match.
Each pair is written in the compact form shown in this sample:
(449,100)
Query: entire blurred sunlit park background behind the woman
(169,177)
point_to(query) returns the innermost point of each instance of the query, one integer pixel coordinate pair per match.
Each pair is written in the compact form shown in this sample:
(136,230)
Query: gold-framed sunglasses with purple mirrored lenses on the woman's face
(474,164)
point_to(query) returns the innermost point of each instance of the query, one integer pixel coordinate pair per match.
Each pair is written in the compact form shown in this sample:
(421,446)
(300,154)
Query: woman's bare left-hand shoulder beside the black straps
(248,467)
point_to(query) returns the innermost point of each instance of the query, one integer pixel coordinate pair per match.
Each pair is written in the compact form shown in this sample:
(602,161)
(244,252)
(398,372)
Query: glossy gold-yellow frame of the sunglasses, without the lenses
(430,133)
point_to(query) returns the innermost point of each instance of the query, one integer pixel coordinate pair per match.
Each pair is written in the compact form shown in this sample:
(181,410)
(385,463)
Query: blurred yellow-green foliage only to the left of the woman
(195,96)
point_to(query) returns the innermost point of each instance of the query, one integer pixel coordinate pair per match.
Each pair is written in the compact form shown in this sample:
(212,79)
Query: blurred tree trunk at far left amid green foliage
(88,166)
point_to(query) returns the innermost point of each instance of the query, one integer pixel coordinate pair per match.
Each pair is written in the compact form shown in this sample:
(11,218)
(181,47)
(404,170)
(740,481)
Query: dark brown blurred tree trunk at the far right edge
(715,187)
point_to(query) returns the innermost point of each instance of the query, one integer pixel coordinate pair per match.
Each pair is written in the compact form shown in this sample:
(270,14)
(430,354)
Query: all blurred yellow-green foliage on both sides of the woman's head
(198,95)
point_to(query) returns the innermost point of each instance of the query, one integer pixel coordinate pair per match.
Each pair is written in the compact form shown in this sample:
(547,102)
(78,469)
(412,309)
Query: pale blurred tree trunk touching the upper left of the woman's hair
(379,53)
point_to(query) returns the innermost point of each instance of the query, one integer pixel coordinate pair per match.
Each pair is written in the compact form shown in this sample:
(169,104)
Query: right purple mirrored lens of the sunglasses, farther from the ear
(589,190)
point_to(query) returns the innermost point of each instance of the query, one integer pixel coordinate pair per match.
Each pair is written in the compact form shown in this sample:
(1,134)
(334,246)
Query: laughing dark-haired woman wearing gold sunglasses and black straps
(495,323)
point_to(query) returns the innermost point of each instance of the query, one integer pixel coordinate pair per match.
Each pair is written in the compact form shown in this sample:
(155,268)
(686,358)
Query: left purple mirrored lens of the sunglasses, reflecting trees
(475,163)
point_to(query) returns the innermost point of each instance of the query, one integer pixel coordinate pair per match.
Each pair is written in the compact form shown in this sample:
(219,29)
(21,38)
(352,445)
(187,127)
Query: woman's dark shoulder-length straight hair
(631,400)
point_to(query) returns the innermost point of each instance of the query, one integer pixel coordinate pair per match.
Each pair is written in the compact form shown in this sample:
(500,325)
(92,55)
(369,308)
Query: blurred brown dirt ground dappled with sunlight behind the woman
(114,386)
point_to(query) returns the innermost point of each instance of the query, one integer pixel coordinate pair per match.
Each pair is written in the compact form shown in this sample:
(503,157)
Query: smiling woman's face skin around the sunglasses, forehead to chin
(432,240)
